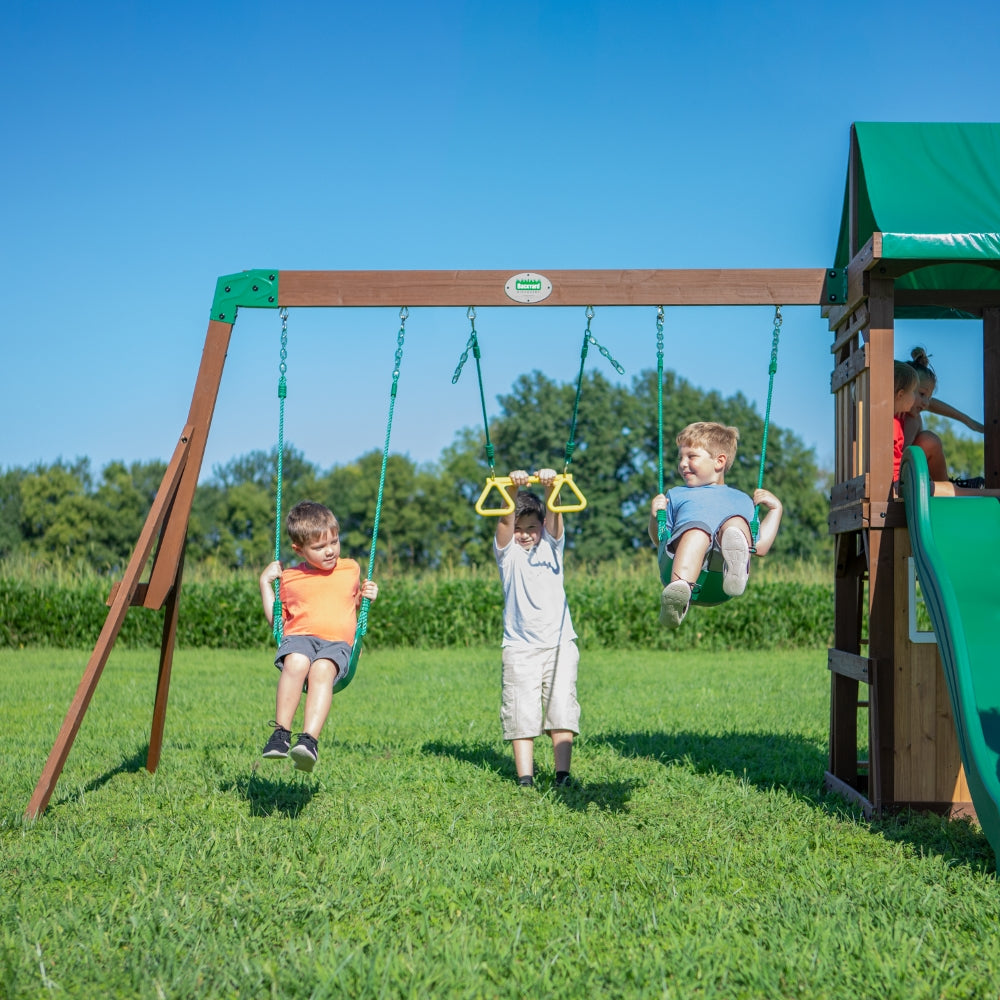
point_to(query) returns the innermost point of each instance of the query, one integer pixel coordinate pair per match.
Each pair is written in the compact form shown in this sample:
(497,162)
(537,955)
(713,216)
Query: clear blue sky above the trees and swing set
(150,148)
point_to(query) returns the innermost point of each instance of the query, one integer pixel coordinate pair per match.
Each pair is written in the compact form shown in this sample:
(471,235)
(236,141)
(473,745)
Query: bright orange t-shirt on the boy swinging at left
(319,603)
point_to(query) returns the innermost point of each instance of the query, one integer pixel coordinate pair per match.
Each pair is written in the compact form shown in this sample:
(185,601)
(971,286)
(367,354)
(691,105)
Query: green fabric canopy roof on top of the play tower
(933,191)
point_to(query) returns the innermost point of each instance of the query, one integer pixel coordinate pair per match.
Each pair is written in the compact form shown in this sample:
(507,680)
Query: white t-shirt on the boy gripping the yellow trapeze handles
(535,611)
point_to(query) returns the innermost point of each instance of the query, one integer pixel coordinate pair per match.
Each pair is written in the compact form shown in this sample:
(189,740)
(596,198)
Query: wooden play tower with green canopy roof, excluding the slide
(919,238)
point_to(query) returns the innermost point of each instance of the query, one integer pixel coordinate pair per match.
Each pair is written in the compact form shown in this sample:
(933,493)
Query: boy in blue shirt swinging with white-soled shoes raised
(706,517)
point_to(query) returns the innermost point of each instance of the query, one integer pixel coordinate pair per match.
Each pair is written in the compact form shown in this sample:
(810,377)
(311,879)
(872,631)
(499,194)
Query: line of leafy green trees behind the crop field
(68,512)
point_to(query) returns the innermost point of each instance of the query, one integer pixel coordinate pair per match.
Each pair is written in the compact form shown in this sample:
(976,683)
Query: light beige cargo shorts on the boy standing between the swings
(539,691)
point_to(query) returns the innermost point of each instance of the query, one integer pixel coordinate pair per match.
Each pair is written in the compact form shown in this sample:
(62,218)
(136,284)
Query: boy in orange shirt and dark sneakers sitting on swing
(319,606)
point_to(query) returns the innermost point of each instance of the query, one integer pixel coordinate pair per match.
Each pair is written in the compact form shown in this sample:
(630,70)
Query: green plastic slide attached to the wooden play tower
(956,545)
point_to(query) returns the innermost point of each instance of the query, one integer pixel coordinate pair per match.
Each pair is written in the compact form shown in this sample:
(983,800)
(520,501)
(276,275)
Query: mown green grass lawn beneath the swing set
(698,858)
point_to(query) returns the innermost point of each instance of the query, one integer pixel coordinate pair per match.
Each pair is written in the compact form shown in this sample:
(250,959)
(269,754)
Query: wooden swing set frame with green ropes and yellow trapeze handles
(162,538)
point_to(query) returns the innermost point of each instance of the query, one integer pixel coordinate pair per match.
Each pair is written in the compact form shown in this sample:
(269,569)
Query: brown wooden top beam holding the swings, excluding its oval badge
(708,287)
